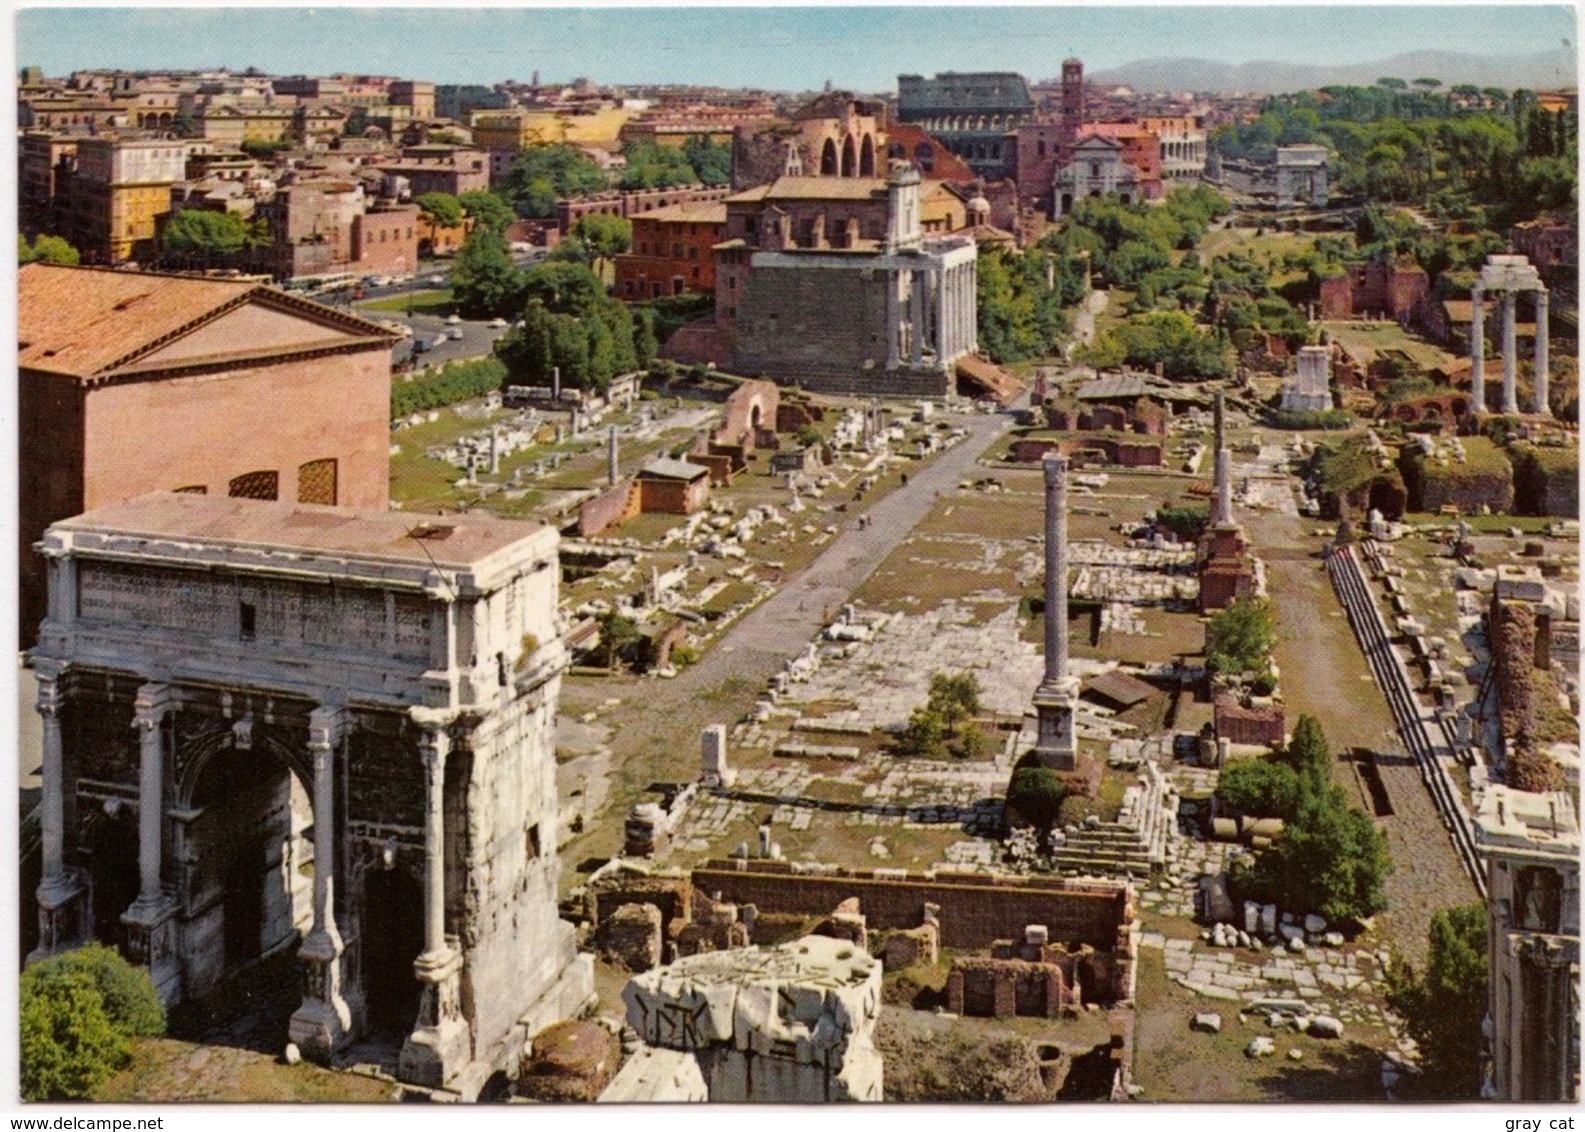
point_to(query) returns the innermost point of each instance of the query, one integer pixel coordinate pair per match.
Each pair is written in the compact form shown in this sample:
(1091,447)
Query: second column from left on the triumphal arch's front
(150,920)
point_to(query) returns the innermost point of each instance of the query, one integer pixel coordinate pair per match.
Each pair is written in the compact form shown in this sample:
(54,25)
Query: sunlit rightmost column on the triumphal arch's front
(440,1042)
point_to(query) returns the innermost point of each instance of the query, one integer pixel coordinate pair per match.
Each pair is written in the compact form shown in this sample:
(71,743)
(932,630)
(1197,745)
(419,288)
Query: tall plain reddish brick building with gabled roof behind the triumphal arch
(136,383)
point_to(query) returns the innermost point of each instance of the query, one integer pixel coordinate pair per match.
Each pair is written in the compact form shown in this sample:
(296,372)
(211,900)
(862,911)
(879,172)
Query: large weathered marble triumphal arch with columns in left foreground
(286,727)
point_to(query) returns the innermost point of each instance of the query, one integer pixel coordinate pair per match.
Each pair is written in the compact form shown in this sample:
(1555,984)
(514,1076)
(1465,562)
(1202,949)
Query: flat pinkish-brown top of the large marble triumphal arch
(445,540)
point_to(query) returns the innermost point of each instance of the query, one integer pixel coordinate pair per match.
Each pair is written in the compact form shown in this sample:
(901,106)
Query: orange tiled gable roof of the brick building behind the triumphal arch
(93,321)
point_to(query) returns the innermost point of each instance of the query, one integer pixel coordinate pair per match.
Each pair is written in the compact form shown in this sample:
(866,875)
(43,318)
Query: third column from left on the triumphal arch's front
(324,1020)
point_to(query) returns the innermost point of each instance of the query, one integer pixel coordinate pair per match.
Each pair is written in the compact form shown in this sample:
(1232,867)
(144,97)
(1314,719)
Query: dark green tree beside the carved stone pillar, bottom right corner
(1445,1008)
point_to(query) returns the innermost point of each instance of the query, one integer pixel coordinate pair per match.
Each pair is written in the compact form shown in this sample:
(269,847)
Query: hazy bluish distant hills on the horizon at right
(1548,71)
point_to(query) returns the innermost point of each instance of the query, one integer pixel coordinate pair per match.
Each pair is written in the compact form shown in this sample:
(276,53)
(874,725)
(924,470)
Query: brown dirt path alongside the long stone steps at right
(1324,675)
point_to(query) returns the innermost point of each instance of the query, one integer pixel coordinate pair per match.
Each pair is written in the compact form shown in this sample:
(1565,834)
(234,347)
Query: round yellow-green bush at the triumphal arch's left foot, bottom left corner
(78,1014)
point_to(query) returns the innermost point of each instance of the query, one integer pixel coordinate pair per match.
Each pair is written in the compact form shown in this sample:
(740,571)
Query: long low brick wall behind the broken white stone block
(976,912)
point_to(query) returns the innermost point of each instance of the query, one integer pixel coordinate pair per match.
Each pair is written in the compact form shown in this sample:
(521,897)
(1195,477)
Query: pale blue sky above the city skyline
(776,48)
